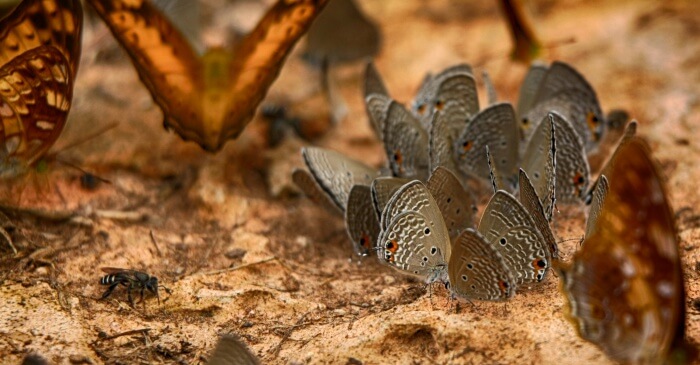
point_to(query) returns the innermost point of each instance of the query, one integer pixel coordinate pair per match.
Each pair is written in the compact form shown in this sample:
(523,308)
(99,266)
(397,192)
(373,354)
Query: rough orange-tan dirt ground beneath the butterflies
(241,252)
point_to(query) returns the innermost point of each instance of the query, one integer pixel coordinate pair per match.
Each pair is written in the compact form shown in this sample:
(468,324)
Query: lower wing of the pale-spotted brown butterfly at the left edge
(36,90)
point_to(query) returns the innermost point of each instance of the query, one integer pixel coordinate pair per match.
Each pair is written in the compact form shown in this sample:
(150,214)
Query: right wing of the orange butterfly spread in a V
(258,60)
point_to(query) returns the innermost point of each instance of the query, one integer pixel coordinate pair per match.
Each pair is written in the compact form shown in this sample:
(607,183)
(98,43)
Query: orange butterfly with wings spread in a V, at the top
(208,99)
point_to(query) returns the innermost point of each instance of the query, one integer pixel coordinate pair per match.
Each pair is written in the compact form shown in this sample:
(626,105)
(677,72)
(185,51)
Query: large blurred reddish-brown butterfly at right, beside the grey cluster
(625,285)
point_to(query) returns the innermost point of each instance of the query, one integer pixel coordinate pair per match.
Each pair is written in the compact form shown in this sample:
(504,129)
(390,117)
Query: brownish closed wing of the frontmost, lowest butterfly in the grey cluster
(478,271)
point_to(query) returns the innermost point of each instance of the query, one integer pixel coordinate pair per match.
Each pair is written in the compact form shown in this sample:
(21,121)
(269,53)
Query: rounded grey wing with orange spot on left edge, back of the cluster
(495,127)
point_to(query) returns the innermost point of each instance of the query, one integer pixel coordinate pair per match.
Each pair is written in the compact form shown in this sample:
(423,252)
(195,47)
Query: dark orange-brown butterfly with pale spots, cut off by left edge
(39,57)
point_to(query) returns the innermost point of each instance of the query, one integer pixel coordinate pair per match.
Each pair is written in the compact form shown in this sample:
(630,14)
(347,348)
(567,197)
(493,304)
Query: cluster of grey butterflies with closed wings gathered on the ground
(417,215)
